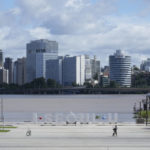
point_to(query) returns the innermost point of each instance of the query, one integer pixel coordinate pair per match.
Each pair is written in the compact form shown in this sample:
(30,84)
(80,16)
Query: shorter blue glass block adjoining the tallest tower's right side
(54,70)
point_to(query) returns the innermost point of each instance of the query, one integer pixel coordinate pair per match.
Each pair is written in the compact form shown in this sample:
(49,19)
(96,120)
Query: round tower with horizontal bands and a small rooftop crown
(120,69)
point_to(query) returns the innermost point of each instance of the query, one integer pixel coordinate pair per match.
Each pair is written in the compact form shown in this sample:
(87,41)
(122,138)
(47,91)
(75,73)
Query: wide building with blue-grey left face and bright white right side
(73,70)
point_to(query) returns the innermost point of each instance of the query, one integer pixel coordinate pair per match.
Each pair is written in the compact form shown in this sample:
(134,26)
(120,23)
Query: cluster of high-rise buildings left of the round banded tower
(42,61)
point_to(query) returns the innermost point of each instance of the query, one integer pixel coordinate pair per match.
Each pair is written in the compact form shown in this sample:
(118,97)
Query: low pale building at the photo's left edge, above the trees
(4,77)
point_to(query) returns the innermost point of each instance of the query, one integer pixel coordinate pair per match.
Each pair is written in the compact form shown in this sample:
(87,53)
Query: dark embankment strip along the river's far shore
(76,90)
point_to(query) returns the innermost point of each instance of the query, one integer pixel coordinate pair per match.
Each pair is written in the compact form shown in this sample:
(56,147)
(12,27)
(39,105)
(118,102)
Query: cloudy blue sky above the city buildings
(94,27)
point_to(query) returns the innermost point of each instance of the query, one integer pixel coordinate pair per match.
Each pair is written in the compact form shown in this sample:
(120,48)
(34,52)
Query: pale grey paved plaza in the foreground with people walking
(92,137)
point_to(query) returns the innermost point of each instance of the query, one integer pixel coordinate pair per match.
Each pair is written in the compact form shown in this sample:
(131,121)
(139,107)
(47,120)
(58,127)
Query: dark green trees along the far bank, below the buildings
(140,80)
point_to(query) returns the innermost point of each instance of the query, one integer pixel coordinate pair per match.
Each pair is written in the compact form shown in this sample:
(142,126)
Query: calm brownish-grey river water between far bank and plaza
(20,108)
